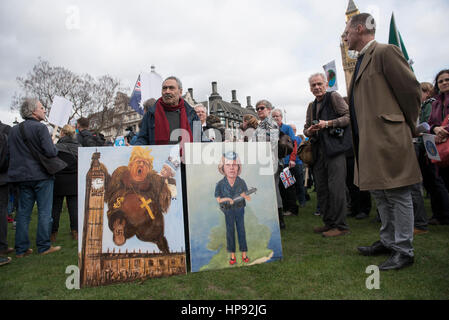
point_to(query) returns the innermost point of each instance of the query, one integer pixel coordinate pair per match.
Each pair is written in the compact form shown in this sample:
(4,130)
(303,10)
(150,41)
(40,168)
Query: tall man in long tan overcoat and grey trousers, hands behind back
(384,104)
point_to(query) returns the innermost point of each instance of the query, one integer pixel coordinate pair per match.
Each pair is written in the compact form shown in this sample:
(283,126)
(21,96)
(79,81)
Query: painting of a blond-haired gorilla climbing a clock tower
(130,214)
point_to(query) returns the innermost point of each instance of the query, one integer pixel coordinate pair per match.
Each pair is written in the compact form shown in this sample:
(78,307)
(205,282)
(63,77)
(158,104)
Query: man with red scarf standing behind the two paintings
(171,112)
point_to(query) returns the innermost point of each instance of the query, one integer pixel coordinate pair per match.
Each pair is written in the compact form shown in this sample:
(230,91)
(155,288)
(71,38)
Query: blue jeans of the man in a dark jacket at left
(29,192)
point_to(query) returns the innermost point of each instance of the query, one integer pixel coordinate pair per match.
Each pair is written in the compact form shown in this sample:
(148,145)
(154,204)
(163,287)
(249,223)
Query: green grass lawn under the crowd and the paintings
(312,268)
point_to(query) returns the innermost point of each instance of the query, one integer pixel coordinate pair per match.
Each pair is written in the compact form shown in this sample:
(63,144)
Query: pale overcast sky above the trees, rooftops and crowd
(261,48)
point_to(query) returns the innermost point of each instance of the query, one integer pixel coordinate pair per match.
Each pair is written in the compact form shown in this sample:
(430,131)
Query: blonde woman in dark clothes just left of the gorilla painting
(66,182)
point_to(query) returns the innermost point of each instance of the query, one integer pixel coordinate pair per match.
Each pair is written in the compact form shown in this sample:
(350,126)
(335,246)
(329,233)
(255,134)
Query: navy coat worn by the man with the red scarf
(146,133)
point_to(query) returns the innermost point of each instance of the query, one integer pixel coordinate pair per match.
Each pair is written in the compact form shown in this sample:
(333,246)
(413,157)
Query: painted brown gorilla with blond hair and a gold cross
(137,197)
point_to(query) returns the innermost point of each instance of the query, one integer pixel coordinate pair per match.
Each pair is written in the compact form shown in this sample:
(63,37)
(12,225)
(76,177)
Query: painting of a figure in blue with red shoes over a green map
(244,231)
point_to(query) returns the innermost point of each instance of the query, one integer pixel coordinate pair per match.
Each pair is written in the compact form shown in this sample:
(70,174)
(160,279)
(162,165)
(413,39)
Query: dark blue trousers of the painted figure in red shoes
(235,218)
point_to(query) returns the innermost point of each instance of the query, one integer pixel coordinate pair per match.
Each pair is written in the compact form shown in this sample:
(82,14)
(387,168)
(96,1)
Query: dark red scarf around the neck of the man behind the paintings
(162,128)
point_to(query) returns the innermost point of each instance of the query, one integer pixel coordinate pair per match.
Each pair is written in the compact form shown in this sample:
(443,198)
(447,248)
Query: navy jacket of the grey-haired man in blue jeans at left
(22,165)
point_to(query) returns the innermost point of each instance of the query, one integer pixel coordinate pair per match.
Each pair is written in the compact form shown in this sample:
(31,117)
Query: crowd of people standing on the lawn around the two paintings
(364,146)
